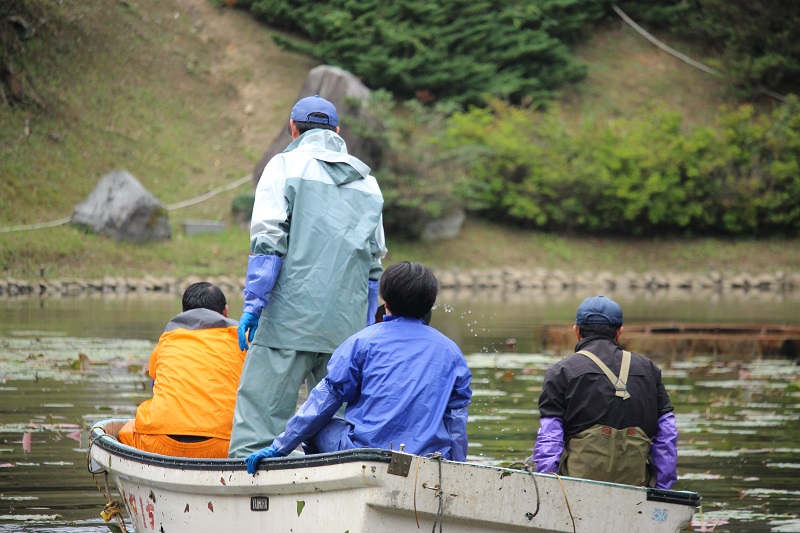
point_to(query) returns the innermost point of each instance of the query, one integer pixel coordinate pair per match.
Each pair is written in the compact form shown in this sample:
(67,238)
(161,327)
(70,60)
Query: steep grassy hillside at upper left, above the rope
(183,95)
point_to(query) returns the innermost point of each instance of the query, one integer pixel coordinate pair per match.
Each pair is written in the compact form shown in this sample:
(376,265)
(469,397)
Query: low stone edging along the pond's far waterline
(501,279)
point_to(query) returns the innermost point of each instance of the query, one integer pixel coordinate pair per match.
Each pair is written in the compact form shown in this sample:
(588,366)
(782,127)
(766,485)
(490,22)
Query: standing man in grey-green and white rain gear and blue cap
(316,239)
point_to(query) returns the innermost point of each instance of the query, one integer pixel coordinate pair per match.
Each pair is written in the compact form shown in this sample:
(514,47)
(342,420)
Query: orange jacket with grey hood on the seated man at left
(195,367)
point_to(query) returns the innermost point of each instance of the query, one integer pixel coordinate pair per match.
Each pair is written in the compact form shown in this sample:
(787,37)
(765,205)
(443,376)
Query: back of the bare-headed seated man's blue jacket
(399,379)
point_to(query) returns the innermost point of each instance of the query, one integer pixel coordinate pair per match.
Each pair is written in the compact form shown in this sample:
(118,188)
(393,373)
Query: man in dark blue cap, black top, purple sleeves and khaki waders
(604,412)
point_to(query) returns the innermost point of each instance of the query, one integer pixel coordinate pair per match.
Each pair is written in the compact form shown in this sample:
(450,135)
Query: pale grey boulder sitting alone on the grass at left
(121,208)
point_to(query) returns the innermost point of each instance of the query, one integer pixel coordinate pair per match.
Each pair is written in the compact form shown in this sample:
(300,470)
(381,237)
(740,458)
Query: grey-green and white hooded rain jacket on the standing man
(331,241)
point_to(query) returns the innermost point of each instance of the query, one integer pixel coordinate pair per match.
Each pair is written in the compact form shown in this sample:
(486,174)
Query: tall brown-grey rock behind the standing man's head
(344,90)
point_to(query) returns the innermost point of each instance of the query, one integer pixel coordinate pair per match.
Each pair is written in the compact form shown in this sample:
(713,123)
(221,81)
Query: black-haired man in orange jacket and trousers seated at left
(195,369)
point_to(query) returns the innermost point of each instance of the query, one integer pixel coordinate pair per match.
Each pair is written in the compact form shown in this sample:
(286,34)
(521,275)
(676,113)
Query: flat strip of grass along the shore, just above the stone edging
(65,252)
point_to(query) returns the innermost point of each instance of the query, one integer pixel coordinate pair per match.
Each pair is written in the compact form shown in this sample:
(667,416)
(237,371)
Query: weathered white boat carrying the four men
(367,490)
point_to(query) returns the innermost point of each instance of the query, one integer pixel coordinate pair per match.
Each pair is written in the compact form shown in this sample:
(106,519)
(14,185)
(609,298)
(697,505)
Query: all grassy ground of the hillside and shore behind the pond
(186,97)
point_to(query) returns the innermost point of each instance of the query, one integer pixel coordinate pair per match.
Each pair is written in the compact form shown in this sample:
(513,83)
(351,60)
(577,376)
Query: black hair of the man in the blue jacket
(409,289)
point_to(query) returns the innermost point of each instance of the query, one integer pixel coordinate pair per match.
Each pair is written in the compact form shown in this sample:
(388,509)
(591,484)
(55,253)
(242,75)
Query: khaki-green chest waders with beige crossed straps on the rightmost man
(604,453)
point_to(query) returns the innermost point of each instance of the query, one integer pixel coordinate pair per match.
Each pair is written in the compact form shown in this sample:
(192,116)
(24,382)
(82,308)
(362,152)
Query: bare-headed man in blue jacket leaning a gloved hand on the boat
(403,382)
